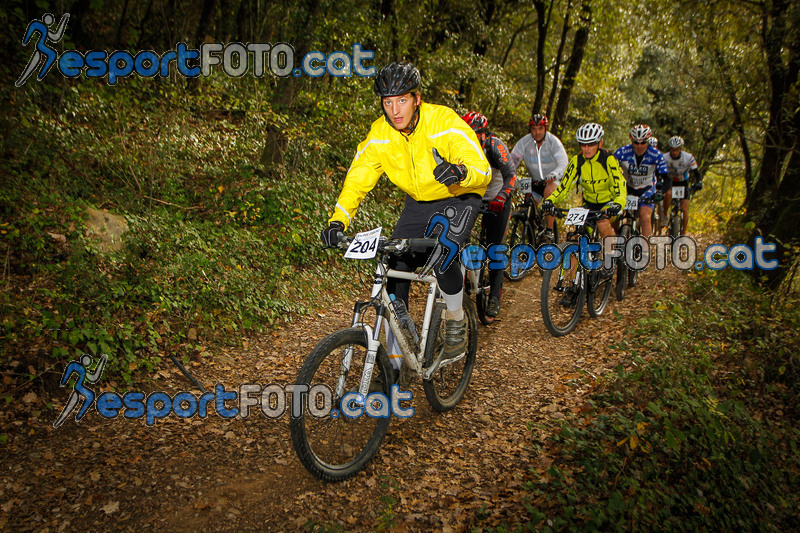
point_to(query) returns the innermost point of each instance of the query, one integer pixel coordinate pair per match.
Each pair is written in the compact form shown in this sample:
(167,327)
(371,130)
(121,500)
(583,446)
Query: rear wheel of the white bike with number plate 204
(449,383)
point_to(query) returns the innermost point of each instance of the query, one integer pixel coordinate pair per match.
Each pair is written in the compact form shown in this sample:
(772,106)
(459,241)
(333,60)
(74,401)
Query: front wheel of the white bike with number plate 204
(331,446)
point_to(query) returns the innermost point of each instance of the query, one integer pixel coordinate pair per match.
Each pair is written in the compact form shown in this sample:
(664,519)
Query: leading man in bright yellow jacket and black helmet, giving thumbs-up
(433,156)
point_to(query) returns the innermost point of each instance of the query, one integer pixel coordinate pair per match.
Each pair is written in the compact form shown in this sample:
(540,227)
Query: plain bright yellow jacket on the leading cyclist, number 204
(408,160)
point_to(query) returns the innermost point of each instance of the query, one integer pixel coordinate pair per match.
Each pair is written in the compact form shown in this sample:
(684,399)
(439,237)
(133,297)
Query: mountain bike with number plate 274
(566,287)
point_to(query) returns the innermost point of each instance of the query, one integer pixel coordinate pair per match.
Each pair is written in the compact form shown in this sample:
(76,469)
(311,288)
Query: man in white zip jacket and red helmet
(545,159)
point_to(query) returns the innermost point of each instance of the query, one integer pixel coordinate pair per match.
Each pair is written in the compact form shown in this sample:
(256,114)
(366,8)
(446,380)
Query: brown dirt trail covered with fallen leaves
(434,471)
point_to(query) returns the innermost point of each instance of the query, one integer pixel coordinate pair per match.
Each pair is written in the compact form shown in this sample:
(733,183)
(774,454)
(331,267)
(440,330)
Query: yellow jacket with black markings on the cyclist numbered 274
(599,185)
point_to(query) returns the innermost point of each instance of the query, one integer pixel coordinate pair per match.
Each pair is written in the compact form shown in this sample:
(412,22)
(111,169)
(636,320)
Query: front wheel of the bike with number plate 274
(561,302)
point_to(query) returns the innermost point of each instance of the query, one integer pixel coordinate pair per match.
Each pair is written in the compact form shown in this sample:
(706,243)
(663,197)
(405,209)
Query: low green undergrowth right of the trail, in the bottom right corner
(685,437)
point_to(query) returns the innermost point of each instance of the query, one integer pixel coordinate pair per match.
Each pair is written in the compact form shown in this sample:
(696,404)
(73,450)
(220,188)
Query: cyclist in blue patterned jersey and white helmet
(645,171)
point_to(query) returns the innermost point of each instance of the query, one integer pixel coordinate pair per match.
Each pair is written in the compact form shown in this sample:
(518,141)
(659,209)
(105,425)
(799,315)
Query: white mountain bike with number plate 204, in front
(353,364)
